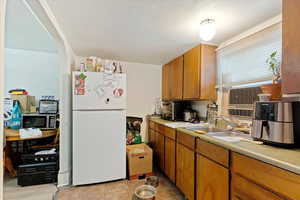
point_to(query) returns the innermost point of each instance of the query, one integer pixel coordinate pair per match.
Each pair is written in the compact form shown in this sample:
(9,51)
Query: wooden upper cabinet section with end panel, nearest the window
(199,78)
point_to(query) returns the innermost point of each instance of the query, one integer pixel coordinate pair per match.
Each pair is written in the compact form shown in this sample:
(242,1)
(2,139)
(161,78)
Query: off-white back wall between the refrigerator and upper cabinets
(143,86)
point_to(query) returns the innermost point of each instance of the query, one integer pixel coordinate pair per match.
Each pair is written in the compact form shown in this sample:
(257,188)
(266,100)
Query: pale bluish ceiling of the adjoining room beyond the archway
(23,31)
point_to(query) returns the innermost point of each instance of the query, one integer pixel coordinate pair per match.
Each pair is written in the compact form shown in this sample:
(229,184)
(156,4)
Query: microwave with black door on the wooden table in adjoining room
(42,121)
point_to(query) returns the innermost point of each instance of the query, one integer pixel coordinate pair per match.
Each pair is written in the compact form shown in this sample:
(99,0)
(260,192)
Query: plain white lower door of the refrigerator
(99,146)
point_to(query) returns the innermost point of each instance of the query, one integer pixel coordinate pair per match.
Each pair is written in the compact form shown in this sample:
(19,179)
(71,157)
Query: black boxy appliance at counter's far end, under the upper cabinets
(173,111)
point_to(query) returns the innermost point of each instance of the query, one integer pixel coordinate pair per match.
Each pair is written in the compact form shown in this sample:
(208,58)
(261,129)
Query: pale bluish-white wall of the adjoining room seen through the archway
(35,71)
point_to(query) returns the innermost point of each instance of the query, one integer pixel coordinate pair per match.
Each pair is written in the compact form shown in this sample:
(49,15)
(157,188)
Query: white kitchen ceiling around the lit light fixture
(153,31)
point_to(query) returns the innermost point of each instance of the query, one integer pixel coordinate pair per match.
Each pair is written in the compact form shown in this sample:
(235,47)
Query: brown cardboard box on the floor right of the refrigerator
(139,158)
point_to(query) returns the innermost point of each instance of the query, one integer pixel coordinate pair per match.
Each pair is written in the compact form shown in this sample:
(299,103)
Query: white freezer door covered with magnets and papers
(98,91)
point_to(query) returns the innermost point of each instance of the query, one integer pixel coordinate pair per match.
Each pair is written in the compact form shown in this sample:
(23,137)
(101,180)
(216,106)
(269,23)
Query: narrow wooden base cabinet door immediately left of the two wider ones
(170,157)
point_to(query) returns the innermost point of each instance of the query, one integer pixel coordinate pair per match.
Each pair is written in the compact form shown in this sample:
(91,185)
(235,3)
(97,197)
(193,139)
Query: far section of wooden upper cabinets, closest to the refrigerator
(172,79)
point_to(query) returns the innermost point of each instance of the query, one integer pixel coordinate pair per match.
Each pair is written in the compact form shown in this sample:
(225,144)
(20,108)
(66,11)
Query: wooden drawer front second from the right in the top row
(213,152)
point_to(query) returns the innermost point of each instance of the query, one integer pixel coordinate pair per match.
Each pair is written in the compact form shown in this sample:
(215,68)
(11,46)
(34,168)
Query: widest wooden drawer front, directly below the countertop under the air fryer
(275,179)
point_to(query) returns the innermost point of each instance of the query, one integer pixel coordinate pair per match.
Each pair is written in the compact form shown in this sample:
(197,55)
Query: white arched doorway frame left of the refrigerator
(43,13)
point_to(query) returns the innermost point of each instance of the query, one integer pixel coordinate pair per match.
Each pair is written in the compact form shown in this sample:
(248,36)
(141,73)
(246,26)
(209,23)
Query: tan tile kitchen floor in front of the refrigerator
(119,190)
